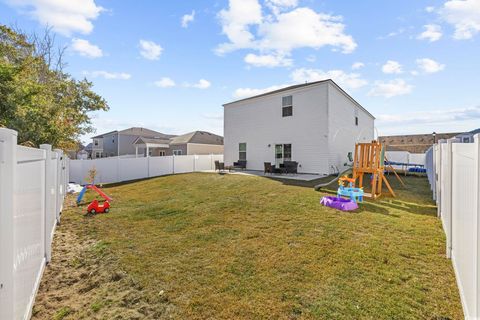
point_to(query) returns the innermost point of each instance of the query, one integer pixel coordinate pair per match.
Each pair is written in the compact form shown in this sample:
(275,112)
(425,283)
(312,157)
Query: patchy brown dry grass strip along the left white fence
(84,280)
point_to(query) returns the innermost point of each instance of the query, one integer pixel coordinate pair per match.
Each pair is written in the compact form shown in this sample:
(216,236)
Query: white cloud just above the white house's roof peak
(345,80)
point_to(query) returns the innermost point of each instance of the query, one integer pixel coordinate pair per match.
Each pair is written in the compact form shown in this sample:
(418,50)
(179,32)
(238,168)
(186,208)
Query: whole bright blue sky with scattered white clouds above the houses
(170,65)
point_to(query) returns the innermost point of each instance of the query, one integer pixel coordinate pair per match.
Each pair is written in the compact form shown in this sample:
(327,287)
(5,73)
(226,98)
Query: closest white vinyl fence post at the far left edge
(8,164)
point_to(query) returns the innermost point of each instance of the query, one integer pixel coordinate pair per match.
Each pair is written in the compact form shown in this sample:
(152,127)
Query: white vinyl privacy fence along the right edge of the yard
(454,173)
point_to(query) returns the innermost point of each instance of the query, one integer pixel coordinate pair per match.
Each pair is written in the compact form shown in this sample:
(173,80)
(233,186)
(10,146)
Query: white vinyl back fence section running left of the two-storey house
(118,169)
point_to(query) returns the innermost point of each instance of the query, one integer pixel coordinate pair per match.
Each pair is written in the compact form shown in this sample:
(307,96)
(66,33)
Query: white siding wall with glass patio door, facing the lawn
(259,123)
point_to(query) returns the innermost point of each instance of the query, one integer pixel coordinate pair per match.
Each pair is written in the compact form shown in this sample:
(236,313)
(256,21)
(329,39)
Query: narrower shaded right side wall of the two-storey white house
(343,133)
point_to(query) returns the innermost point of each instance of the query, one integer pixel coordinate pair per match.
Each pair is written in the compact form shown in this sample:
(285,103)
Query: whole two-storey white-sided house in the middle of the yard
(315,124)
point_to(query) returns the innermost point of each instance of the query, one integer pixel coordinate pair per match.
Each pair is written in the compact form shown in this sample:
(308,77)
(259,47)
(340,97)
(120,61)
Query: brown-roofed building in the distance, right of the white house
(413,143)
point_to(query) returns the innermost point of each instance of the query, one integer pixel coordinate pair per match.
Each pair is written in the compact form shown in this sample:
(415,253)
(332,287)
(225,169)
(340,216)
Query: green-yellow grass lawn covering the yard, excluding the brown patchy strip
(229,246)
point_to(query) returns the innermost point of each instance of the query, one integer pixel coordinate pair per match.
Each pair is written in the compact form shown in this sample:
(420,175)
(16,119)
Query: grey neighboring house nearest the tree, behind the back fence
(118,143)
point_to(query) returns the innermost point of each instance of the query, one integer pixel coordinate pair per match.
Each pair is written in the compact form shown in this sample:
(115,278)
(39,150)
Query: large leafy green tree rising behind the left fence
(37,98)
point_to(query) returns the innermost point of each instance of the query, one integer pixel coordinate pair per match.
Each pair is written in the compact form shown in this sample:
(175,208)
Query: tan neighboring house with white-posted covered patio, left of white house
(197,142)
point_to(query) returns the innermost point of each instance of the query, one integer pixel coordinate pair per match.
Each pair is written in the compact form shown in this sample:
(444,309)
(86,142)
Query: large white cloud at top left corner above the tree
(65,17)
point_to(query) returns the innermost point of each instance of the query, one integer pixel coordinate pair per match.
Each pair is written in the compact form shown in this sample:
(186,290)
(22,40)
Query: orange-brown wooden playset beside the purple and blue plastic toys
(369,158)
